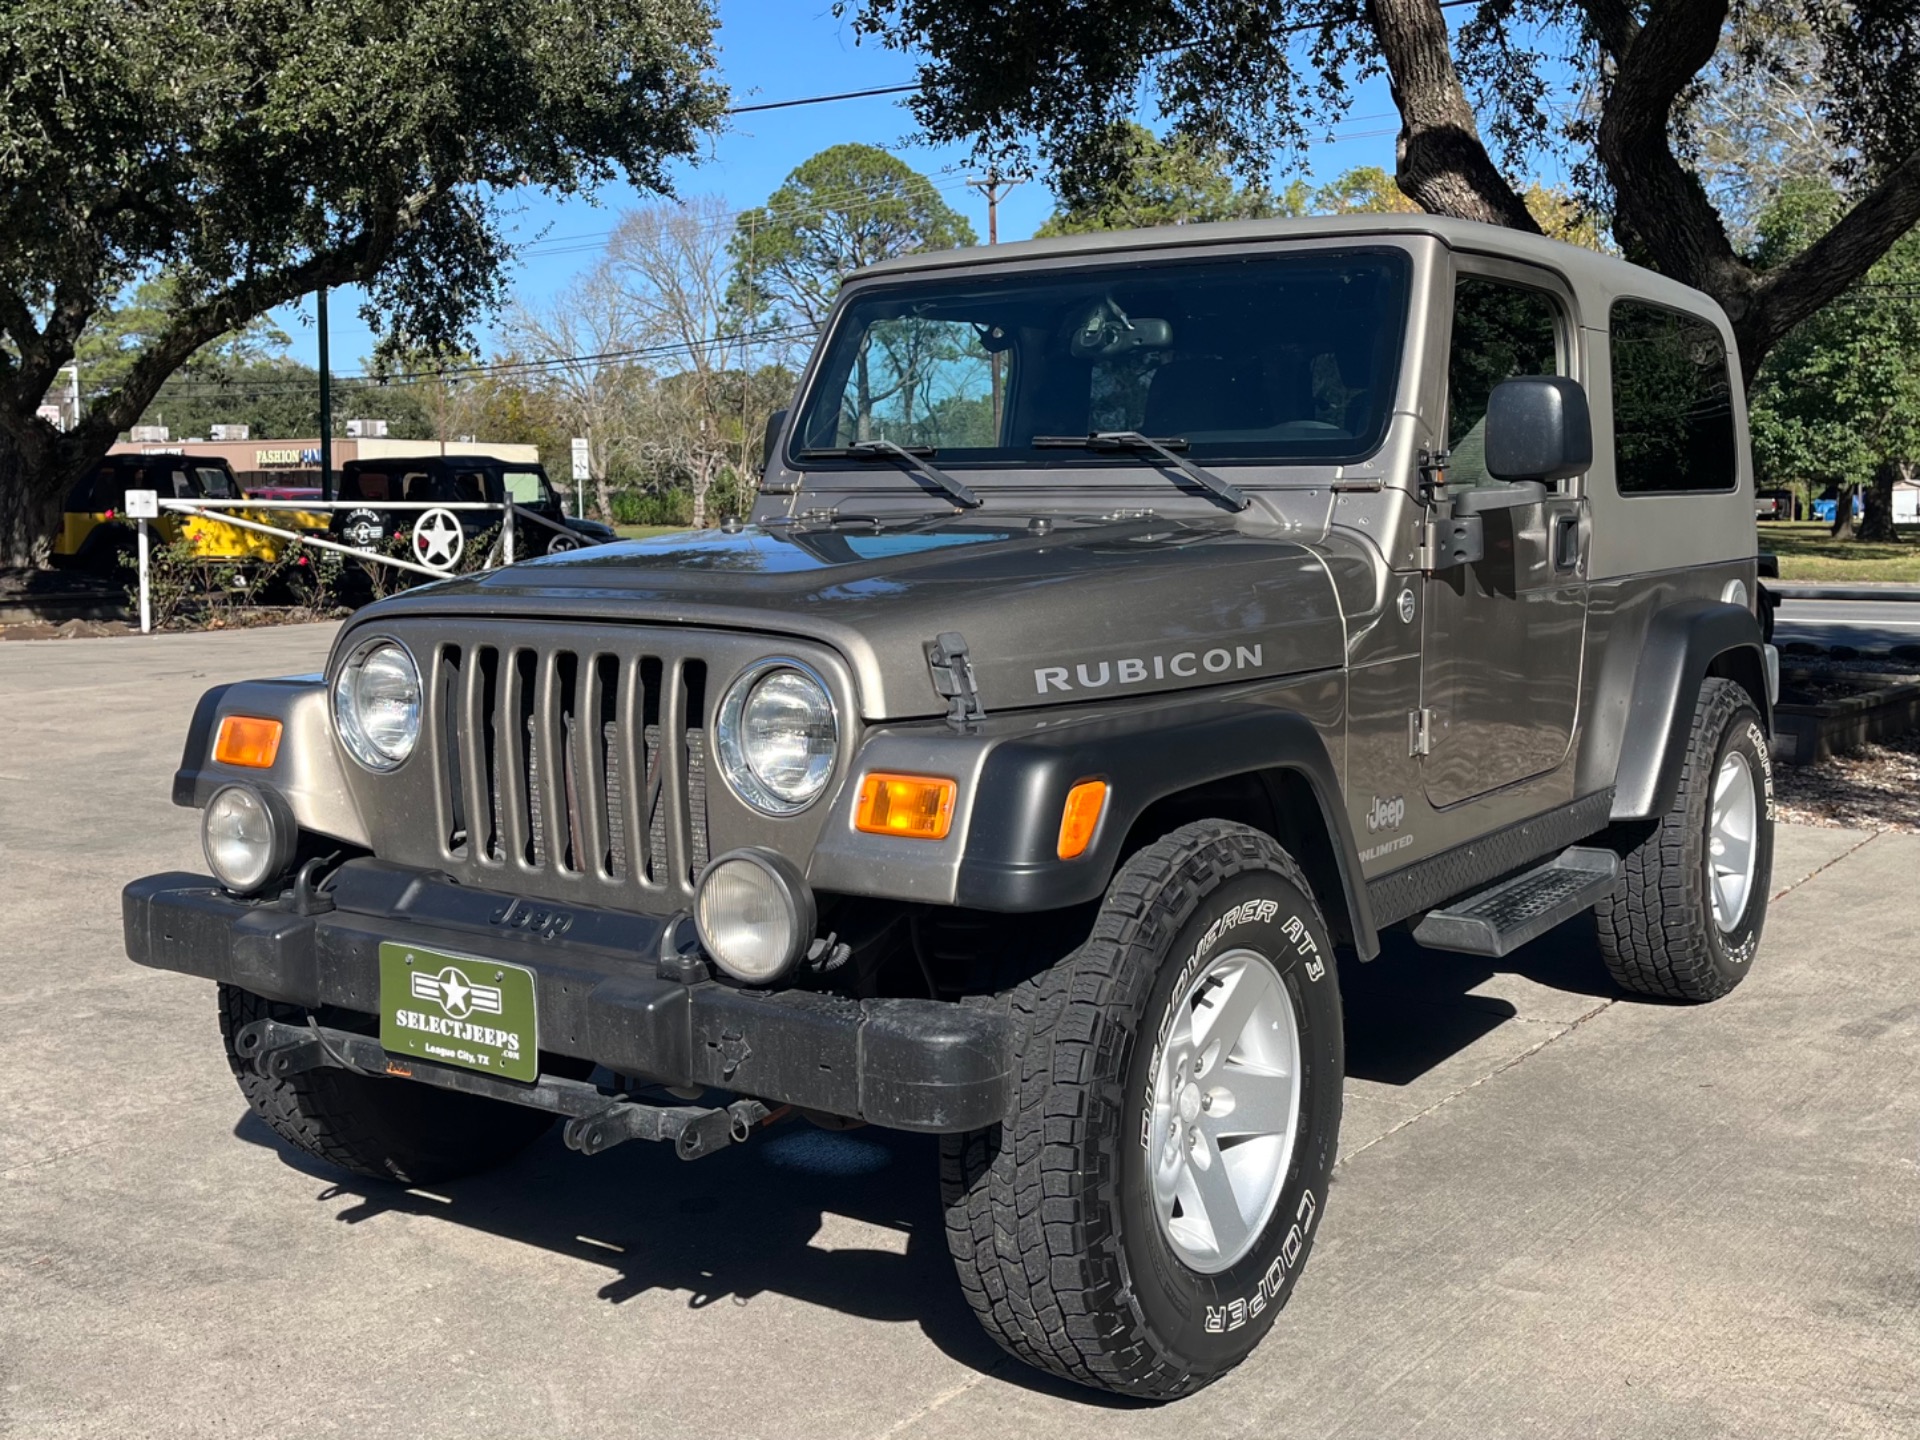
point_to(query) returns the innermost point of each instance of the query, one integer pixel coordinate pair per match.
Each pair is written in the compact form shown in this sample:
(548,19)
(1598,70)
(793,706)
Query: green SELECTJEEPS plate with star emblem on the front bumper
(460,1011)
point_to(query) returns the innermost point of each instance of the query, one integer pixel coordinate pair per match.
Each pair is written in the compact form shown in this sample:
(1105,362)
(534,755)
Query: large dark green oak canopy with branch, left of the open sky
(252,153)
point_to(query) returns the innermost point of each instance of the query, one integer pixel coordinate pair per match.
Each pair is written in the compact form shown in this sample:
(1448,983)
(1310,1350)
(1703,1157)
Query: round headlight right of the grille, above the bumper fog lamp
(777,736)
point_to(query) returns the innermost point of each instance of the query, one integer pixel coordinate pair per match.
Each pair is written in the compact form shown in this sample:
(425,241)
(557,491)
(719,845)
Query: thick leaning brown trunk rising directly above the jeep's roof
(1443,162)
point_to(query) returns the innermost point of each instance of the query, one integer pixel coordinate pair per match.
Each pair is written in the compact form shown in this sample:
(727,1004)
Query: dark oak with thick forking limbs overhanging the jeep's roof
(1606,82)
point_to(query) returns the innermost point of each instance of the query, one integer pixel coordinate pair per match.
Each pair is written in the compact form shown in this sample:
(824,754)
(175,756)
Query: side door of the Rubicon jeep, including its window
(1504,636)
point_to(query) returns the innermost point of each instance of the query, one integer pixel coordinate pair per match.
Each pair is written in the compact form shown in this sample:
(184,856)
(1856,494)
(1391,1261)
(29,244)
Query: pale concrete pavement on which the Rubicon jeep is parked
(1558,1214)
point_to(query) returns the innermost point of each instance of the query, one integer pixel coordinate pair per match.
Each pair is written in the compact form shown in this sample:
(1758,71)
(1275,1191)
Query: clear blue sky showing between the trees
(782,51)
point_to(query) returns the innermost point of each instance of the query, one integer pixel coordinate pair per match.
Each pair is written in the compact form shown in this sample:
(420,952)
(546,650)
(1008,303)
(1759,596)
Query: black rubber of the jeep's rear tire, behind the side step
(1656,928)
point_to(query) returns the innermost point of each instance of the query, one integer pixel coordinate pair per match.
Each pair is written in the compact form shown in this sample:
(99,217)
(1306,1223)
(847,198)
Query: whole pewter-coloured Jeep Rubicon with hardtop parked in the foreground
(1128,631)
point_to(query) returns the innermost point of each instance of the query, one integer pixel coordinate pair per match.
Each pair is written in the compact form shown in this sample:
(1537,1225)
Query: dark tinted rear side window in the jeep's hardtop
(1673,402)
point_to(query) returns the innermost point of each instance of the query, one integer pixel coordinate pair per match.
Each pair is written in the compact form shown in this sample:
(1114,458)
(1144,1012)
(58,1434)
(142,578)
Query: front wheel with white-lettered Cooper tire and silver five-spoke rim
(1145,1212)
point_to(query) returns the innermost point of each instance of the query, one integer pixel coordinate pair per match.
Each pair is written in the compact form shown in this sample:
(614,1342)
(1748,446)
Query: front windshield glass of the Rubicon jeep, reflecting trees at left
(1260,358)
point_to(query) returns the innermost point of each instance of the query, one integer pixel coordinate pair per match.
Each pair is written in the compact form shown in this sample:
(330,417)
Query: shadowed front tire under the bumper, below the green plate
(383,1128)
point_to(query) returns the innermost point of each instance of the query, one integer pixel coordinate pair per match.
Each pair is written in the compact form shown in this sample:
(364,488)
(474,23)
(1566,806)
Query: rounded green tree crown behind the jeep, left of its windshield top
(846,208)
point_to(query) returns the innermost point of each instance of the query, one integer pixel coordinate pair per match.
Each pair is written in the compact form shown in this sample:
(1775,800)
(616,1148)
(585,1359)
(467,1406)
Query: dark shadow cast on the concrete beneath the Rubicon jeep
(744,1224)
